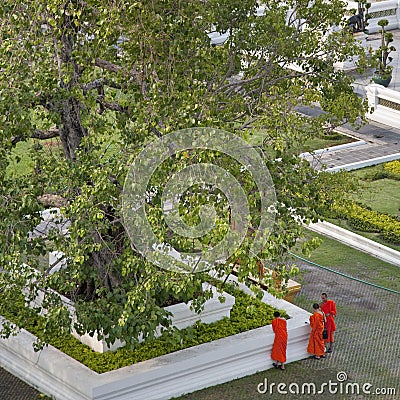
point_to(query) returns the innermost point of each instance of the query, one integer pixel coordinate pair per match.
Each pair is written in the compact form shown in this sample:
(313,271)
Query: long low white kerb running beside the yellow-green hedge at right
(358,242)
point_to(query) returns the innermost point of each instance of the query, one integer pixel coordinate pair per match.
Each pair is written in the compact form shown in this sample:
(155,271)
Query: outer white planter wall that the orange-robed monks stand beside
(171,375)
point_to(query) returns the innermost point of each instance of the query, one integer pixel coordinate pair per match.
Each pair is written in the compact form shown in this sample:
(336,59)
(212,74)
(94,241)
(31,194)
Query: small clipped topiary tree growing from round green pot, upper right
(380,58)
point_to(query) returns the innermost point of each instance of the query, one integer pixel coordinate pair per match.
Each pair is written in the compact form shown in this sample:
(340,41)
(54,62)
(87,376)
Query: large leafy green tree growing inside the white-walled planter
(106,78)
